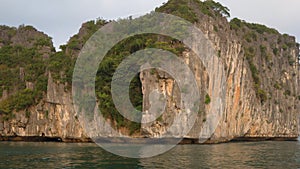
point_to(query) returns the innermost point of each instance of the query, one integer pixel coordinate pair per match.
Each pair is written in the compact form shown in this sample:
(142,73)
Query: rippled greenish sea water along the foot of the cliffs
(230,155)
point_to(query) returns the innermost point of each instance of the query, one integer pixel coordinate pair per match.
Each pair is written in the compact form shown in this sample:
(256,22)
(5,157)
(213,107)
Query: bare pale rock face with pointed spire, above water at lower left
(54,116)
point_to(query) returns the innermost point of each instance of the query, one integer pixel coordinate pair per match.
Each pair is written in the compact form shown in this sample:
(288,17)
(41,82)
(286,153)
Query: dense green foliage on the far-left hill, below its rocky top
(21,66)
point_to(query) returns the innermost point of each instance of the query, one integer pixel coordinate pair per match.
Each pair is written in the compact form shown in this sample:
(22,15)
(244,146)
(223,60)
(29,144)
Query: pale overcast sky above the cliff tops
(61,19)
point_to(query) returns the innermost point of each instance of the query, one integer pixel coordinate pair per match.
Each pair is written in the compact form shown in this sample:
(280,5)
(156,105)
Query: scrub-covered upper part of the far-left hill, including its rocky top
(23,64)
